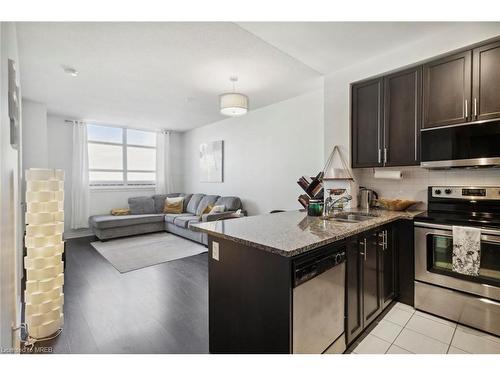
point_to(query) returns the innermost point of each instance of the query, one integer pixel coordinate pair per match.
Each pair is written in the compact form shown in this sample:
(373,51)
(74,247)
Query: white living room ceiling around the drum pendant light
(158,75)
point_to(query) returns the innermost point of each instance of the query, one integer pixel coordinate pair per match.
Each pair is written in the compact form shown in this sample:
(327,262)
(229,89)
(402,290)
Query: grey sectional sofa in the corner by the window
(147,216)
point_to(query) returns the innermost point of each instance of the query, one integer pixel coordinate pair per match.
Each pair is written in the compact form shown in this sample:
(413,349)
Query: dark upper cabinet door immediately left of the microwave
(402,112)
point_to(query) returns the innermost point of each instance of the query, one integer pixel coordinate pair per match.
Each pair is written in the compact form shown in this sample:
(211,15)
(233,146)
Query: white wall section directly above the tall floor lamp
(35,154)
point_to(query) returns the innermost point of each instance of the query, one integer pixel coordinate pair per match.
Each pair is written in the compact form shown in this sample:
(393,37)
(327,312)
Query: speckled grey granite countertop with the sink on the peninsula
(293,232)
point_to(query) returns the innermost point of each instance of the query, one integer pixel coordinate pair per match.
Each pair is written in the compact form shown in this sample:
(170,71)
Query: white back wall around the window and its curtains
(59,145)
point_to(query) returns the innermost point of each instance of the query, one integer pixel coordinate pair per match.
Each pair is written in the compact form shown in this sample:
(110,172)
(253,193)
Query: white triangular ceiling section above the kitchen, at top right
(331,46)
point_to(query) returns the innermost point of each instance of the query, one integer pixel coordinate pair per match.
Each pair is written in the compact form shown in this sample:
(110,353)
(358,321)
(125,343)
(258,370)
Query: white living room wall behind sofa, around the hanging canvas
(265,152)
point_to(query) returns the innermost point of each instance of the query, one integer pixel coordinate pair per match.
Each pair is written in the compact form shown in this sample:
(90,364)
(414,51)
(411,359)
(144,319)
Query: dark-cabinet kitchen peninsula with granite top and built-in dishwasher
(262,298)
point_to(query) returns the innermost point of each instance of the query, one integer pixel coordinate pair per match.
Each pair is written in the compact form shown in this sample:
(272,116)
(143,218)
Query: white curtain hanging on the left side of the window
(80,177)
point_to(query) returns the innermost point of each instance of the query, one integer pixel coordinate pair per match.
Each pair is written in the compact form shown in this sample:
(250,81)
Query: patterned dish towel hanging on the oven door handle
(466,250)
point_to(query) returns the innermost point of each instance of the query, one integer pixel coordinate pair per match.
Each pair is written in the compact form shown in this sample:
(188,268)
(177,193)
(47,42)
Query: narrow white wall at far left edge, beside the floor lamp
(10,205)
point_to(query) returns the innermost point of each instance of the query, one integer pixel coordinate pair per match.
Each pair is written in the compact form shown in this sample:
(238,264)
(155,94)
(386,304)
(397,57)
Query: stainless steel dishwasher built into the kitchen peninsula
(318,302)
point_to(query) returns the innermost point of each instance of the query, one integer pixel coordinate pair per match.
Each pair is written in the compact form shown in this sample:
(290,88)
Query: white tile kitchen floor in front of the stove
(403,330)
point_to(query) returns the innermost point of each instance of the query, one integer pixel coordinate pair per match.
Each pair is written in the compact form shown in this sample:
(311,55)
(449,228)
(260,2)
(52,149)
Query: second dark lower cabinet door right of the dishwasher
(372,299)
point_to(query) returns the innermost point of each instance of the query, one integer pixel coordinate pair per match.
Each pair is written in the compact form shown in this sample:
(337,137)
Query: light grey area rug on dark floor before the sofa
(132,253)
